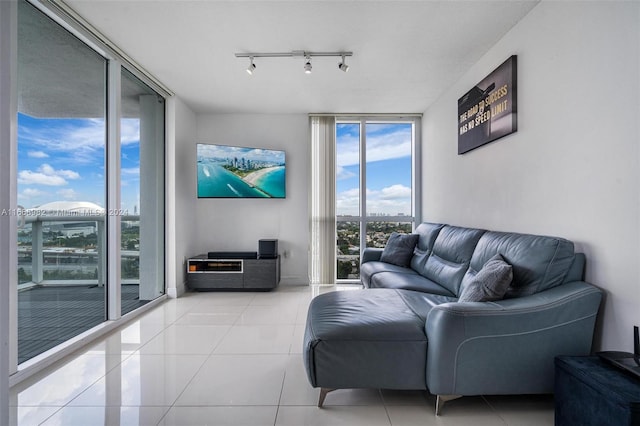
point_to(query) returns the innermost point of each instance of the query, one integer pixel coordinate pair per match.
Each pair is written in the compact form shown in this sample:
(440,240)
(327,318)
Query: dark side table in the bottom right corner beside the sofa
(590,391)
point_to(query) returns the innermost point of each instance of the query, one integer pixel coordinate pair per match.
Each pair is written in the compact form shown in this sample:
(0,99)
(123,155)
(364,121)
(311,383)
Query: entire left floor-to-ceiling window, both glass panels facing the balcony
(76,202)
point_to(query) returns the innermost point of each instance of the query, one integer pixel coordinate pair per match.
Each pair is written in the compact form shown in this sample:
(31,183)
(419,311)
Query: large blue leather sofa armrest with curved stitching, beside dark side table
(509,346)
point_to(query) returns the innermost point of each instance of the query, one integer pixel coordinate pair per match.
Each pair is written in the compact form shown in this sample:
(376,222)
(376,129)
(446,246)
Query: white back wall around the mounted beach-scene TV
(230,224)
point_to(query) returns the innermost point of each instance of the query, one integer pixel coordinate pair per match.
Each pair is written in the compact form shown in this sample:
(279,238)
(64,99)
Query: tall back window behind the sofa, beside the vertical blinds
(375,186)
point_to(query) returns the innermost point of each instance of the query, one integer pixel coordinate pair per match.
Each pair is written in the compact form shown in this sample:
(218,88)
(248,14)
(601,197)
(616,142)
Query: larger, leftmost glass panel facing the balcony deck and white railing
(62,142)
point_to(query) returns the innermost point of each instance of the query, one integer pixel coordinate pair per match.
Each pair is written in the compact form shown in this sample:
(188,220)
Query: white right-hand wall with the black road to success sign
(572,169)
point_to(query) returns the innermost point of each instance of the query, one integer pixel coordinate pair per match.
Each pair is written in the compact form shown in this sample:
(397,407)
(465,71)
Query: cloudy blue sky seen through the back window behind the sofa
(388,168)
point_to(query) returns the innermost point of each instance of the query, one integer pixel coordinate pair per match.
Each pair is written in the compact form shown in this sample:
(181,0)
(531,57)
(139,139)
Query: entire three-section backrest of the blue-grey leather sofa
(450,256)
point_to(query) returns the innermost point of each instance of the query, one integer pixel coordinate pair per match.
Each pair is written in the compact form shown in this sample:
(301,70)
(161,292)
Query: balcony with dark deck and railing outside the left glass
(62,276)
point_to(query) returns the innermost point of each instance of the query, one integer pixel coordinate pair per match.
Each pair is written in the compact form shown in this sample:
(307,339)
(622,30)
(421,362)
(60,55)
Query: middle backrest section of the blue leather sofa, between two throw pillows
(449,257)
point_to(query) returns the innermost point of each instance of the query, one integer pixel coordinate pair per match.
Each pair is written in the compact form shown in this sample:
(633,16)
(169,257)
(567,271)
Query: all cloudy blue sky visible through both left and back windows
(64,160)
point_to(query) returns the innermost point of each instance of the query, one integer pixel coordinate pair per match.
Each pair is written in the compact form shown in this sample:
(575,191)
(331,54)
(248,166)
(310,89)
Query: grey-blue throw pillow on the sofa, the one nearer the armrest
(490,283)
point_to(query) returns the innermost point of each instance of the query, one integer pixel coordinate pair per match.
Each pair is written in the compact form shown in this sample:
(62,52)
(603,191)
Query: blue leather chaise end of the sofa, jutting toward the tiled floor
(366,338)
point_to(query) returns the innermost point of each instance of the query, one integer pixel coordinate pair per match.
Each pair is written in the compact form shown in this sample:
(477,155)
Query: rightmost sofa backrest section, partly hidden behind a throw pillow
(538,262)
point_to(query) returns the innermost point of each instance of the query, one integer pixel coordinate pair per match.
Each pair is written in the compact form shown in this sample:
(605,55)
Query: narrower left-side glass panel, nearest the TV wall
(142,167)
